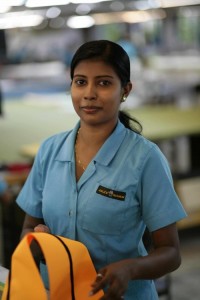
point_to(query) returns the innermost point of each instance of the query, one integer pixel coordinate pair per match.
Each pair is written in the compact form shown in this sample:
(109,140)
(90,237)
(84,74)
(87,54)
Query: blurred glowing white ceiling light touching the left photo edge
(20,19)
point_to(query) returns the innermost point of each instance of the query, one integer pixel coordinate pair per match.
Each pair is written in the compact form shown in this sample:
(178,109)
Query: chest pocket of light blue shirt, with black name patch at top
(105,214)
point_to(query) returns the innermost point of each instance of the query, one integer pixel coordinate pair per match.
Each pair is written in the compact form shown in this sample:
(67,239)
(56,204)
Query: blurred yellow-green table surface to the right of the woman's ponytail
(168,121)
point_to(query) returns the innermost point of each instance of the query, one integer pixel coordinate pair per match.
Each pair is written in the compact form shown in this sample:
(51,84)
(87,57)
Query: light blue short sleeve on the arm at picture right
(160,204)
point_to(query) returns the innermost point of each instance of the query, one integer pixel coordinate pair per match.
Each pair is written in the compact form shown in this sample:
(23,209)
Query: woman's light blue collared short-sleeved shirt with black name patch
(126,187)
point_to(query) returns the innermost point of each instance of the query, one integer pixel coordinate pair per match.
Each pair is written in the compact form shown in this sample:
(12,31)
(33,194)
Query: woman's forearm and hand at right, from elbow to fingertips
(116,276)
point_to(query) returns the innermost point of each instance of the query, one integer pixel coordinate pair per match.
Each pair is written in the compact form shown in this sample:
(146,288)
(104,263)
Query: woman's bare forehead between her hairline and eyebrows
(94,67)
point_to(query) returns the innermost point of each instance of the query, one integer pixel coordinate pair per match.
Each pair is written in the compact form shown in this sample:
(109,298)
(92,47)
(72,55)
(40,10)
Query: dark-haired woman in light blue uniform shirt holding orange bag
(102,183)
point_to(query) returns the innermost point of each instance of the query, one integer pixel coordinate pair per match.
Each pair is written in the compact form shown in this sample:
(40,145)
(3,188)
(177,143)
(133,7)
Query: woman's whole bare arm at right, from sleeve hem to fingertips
(164,258)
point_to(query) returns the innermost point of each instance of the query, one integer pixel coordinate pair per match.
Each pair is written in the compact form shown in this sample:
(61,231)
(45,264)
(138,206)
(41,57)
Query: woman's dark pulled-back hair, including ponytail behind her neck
(114,55)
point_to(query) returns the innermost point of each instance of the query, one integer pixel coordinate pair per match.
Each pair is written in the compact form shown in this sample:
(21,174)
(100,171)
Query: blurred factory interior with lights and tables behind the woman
(162,38)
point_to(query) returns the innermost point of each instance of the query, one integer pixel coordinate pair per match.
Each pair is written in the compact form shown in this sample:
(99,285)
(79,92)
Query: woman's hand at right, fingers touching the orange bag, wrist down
(115,278)
